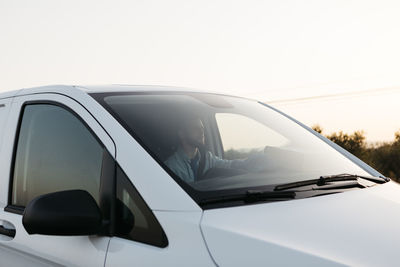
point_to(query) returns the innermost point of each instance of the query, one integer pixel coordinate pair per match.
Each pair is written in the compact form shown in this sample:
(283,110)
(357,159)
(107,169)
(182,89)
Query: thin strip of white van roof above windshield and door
(96,89)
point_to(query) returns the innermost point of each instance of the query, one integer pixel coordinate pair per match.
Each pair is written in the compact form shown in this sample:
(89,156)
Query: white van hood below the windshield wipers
(354,228)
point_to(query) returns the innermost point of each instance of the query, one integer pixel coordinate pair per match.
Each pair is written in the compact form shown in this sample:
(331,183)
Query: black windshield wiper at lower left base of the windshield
(250,196)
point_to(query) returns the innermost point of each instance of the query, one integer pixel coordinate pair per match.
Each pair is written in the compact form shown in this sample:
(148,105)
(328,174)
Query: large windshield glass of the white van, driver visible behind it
(215,143)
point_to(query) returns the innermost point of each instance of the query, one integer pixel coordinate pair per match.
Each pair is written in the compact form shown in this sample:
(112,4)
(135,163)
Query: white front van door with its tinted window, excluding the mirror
(52,144)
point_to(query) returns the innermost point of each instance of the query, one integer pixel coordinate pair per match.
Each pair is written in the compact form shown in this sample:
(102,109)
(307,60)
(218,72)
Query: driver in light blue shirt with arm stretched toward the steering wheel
(186,161)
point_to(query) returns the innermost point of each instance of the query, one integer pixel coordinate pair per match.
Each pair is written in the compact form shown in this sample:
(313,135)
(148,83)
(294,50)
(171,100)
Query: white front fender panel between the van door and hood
(186,246)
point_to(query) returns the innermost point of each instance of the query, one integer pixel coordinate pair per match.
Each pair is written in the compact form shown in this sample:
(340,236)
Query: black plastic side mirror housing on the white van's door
(64,213)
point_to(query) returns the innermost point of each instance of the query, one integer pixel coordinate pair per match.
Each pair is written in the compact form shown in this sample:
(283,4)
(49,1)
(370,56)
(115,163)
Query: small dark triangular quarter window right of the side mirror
(135,220)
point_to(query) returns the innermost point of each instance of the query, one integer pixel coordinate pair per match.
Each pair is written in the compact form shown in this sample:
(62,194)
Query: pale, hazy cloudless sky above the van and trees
(268,50)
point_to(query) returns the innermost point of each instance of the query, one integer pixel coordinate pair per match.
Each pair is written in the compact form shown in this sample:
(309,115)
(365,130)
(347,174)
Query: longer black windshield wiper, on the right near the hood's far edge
(324,180)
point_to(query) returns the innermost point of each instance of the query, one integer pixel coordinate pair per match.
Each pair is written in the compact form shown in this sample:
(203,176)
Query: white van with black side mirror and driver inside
(161,176)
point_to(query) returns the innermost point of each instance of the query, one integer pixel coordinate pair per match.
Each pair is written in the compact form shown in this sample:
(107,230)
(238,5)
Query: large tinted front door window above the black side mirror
(55,152)
